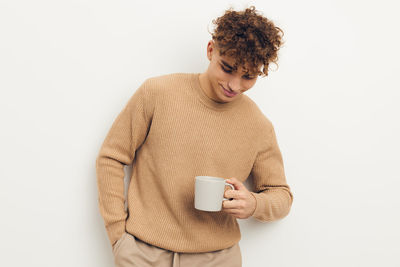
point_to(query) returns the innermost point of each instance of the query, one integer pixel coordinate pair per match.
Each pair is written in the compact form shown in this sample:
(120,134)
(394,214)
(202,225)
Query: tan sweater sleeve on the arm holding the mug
(272,193)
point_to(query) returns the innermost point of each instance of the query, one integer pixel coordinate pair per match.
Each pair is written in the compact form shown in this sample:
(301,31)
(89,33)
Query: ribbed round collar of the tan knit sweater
(209,102)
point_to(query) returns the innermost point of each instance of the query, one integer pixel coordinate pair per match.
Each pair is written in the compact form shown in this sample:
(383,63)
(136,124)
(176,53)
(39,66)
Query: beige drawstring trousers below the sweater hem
(130,251)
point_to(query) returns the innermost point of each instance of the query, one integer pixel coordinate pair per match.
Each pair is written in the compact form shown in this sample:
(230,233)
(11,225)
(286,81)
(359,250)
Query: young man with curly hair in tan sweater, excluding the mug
(181,125)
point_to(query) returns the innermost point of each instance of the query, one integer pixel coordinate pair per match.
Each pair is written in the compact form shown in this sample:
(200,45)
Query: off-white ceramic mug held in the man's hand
(209,193)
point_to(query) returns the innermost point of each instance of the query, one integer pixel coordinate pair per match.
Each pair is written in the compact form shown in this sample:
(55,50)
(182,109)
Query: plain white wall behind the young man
(68,67)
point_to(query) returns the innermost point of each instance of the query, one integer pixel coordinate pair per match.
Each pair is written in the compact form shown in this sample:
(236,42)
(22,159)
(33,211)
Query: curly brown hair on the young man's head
(248,37)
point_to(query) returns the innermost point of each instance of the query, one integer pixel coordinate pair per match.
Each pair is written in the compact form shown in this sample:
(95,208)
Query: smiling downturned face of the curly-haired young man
(226,84)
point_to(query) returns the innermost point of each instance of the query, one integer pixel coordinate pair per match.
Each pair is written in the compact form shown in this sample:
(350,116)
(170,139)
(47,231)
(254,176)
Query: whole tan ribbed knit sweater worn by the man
(171,131)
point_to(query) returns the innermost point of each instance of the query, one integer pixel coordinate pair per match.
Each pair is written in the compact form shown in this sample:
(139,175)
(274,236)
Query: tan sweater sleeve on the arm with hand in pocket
(127,133)
